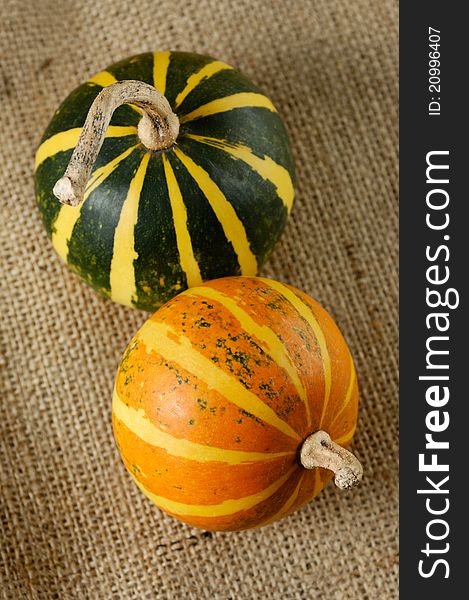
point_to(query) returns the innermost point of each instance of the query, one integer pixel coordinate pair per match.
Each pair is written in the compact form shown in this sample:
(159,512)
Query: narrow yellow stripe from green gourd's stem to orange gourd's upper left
(186,253)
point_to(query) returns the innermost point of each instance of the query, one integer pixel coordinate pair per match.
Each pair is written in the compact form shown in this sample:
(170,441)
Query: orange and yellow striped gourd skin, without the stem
(216,393)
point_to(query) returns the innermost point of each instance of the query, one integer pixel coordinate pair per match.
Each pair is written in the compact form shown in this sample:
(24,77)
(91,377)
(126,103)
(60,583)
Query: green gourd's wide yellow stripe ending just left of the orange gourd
(122,273)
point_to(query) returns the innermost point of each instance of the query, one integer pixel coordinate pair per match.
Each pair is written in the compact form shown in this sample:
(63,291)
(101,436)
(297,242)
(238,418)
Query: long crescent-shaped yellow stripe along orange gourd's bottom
(228,507)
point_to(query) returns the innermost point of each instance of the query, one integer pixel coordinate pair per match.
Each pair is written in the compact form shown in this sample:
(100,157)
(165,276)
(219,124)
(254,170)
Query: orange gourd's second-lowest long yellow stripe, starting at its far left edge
(141,426)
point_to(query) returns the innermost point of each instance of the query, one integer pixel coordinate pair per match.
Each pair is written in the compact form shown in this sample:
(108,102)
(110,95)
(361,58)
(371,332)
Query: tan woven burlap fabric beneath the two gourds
(73,524)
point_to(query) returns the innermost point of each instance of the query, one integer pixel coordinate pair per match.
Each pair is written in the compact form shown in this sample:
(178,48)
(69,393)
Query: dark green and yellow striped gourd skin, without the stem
(154,223)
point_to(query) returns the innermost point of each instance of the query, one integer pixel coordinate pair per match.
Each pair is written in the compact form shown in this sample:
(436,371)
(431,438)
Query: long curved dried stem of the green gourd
(157,129)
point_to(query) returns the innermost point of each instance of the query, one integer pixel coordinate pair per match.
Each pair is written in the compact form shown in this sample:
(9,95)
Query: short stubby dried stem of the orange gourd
(318,450)
